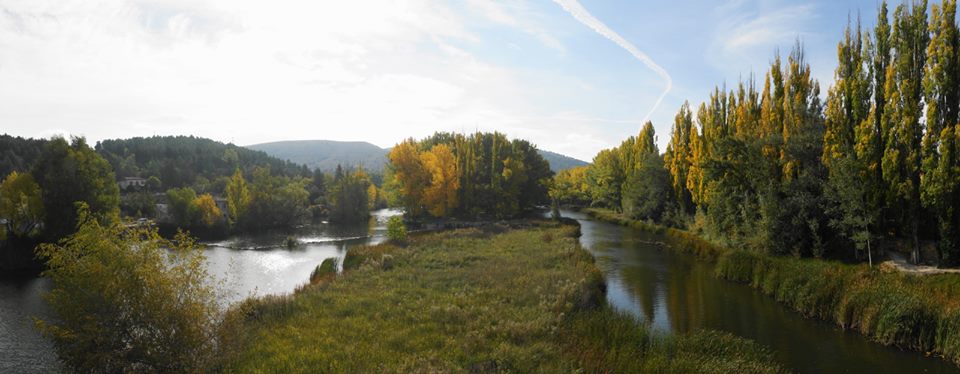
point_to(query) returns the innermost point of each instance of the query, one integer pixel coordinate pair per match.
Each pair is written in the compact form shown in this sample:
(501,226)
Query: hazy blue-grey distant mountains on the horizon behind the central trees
(327,154)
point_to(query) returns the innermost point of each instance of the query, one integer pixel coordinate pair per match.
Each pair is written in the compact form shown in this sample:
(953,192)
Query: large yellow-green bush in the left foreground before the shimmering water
(127,300)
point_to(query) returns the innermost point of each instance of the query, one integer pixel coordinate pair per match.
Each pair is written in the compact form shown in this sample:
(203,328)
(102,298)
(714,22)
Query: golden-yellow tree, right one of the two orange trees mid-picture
(440,197)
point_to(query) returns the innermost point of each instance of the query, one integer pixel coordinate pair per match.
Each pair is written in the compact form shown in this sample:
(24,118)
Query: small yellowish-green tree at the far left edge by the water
(21,204)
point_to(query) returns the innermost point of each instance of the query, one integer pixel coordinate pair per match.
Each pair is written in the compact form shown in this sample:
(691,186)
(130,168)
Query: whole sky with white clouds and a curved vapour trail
(571,77)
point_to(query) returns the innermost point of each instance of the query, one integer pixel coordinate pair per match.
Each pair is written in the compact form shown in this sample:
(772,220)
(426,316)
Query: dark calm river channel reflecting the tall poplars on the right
(675,293)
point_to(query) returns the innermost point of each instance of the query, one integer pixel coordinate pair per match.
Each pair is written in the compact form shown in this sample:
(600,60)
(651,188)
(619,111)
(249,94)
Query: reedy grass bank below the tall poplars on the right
(920,313)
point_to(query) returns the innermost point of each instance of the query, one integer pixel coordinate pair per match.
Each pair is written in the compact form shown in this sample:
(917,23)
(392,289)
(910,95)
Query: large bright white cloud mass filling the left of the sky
(250,71)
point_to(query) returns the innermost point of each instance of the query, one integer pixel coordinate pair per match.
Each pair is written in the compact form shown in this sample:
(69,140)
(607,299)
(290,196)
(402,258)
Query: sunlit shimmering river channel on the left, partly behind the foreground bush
(241,266)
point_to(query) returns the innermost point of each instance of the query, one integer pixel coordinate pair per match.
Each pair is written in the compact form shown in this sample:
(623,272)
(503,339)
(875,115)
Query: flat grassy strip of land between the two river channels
(487,299)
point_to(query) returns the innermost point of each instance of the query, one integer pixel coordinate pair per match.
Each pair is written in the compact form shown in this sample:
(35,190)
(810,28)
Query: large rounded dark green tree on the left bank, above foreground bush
(72,173)
